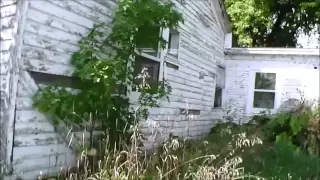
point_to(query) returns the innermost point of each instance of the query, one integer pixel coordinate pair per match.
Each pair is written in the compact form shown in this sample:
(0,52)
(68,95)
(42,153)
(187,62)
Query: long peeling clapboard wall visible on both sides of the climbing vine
(51,30)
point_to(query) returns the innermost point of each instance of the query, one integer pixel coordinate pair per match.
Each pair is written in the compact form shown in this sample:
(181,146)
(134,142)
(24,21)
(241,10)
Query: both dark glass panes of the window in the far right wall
(264,90)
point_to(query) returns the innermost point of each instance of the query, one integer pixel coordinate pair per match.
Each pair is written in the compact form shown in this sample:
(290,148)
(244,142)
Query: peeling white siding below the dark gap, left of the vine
(35,137)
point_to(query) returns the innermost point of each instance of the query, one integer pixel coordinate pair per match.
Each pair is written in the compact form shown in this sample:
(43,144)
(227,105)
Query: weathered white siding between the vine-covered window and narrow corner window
(200,51)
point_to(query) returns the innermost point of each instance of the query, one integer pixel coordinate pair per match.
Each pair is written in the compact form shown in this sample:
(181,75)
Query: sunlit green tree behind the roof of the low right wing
(272,23)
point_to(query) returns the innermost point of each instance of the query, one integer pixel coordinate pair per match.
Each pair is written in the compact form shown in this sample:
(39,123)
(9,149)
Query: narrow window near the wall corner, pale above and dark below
(220,84)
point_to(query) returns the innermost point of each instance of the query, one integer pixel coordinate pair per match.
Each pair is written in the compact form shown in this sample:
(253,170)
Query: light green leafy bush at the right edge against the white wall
(299,128)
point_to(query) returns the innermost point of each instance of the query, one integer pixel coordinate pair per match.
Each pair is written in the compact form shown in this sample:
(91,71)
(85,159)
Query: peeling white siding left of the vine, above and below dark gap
(51,32)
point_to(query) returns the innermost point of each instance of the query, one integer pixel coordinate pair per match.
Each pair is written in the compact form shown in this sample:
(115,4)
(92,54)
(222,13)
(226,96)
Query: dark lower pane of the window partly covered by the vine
(153,68)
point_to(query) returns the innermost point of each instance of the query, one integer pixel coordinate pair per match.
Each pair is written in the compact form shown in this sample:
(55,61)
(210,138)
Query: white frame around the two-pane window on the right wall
(250,110)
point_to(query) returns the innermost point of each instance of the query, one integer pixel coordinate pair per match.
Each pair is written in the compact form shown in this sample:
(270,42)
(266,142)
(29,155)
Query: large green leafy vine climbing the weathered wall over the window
(104,64)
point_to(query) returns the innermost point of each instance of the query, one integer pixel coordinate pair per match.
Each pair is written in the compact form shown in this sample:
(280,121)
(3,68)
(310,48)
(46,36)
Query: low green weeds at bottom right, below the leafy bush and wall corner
(280,160)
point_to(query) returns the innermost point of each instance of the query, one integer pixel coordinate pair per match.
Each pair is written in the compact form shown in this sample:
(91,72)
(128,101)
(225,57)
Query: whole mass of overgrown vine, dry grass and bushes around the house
(104,66)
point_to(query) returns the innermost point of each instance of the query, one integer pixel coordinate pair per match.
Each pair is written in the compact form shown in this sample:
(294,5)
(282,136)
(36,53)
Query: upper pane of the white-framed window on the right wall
(266,81)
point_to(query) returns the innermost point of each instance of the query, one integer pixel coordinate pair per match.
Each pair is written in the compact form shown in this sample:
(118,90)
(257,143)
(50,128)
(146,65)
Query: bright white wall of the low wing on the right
(297,76)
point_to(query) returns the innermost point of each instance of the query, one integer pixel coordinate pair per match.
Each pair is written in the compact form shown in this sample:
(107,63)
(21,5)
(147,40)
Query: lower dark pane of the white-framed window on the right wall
(263,100)
